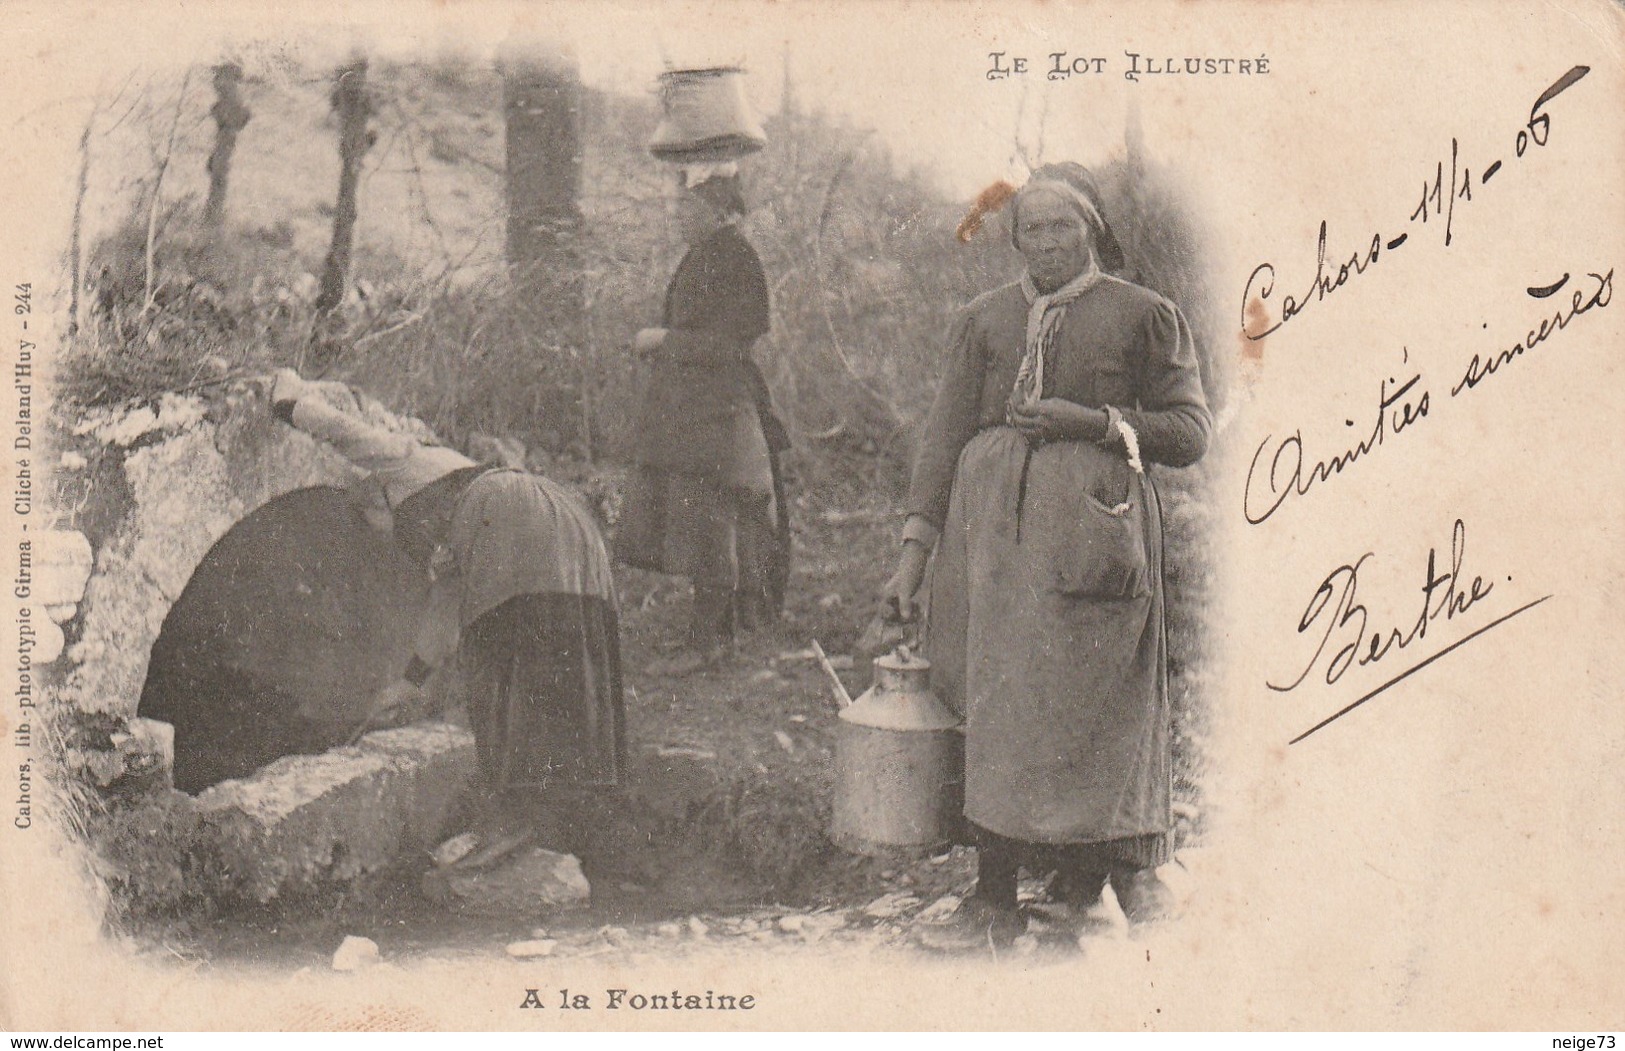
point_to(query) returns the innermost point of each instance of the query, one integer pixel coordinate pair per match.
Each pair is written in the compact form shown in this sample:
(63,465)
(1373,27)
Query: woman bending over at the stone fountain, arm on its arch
(521,592)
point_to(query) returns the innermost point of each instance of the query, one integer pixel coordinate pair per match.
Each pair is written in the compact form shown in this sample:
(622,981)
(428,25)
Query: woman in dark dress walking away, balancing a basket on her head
(708,503)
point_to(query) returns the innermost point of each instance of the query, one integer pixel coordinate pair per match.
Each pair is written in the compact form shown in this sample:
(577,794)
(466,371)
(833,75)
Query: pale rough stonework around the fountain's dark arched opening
(145,493)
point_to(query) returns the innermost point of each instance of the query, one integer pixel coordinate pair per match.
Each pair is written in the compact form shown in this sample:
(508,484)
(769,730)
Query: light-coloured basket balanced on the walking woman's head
(706,118)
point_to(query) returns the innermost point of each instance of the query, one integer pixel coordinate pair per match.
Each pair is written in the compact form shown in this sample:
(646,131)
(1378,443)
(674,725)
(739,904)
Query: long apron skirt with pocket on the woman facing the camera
(1047,634)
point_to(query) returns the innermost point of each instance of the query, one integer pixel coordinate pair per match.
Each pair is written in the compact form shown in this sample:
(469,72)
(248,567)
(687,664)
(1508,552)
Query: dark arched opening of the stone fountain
(282,636)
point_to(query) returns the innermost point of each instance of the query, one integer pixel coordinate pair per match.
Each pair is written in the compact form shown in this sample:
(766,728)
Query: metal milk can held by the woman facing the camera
(899,764)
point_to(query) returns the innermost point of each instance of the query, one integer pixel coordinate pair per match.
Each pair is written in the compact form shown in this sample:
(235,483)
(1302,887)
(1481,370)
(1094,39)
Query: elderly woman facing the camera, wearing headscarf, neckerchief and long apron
(1047,603)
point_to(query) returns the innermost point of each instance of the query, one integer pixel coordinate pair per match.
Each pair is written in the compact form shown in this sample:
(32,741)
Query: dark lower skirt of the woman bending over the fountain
(545,693)
